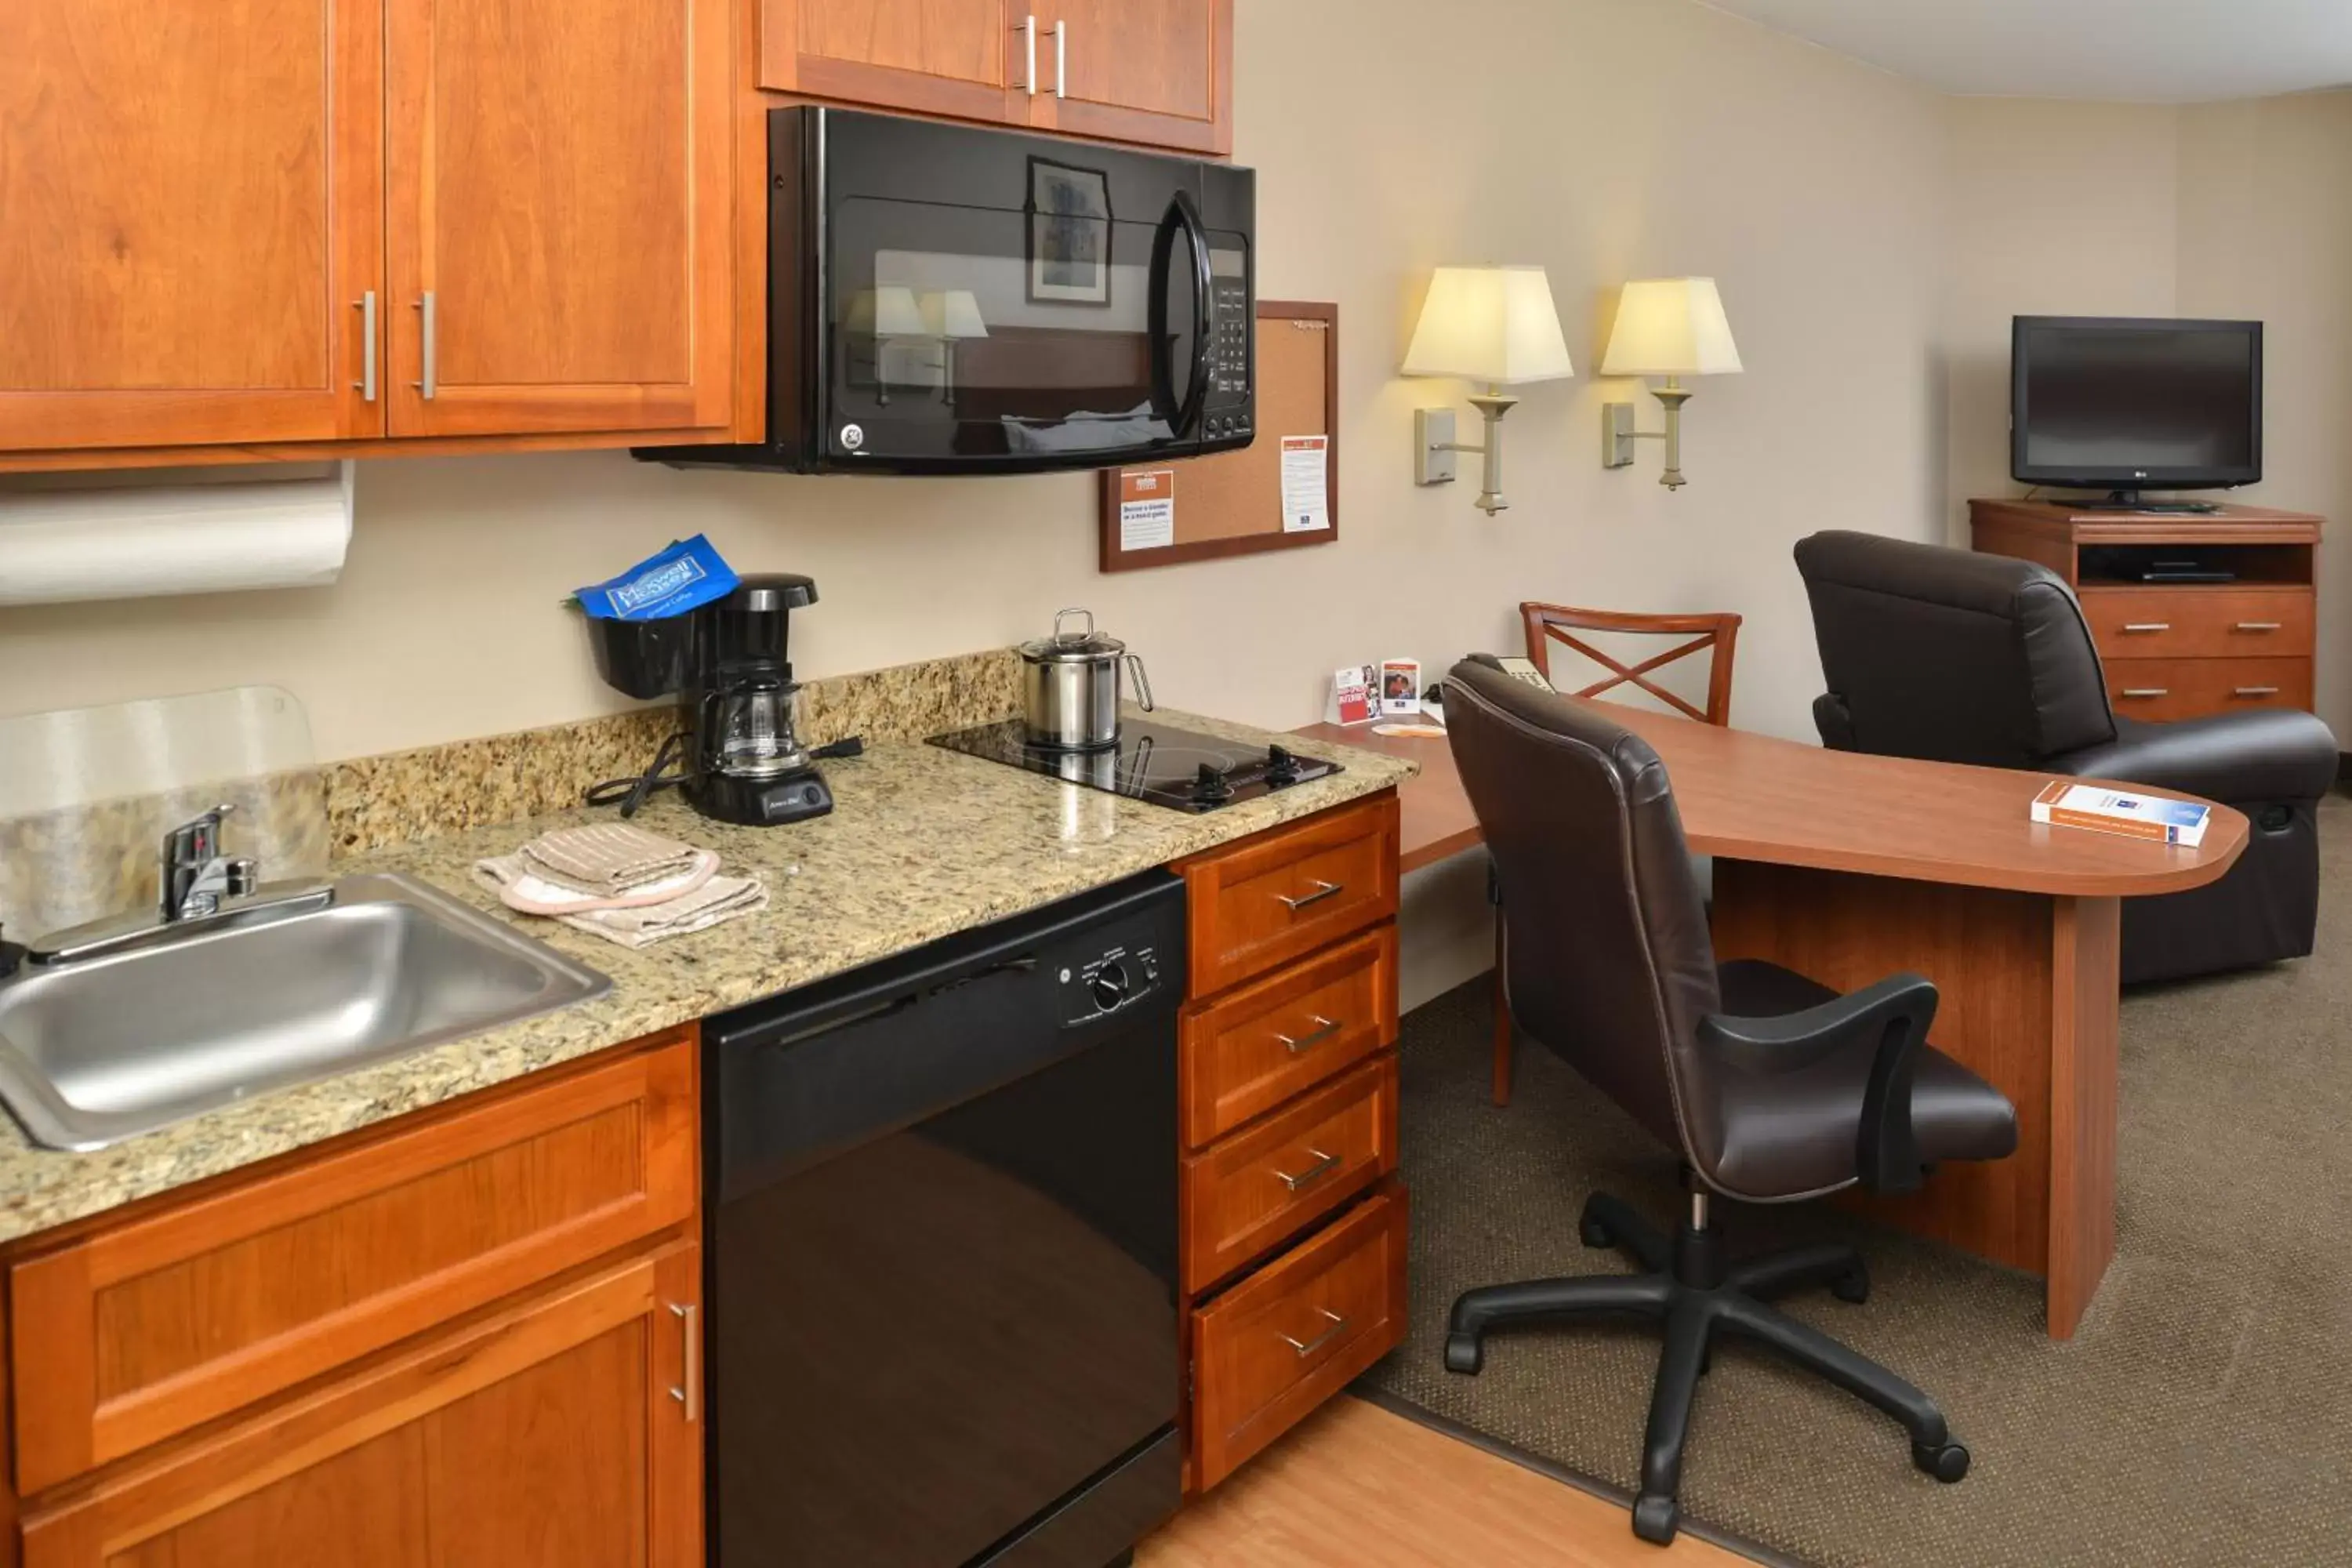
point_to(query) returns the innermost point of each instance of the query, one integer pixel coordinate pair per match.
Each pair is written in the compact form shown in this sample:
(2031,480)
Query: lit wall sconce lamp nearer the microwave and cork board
(1495,326)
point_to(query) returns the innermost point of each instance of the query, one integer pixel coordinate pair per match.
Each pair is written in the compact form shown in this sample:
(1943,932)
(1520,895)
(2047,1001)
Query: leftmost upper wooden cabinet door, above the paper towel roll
(189,220)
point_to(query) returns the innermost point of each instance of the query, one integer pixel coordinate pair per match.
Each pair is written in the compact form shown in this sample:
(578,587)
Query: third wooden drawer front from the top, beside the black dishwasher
(1269,1184)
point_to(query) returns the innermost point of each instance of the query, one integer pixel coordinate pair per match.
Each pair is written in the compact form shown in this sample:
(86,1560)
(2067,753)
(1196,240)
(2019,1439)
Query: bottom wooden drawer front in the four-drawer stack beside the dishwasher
(1292,1336)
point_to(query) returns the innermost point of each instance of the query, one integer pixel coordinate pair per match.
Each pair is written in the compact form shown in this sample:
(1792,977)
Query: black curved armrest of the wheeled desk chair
(1876,1031)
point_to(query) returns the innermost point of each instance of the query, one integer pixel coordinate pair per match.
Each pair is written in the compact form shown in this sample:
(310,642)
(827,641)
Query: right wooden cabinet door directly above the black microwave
(1156,72)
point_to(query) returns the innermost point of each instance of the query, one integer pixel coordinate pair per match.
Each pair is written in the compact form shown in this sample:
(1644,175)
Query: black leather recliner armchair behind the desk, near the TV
(1963,657)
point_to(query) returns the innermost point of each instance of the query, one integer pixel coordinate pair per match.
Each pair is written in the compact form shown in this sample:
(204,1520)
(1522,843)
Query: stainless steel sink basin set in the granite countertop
(112,1047)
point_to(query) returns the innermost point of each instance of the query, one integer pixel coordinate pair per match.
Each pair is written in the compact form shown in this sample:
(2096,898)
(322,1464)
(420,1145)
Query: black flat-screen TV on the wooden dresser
(2125,406)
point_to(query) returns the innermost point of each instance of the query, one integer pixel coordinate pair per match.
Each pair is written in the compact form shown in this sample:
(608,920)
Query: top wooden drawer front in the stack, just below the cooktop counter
(1288,892)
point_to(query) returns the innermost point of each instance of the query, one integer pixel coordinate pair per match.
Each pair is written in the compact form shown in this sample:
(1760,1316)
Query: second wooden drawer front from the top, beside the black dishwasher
(1278,1038)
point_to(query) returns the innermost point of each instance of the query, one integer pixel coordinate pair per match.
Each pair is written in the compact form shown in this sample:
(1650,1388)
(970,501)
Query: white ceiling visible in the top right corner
(2139,51)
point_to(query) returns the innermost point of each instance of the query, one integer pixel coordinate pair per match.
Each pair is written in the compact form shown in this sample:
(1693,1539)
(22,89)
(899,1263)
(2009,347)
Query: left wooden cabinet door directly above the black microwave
(940,58)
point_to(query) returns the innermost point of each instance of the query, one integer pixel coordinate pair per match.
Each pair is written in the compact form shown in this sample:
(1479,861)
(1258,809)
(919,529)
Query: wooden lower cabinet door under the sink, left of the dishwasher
(552,1433)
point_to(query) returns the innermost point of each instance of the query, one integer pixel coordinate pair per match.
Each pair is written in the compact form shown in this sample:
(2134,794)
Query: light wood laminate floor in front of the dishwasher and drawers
(1358,1487)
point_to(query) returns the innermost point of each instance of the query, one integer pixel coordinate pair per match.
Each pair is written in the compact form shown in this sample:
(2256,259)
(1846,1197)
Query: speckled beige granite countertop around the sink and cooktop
(923,843)
